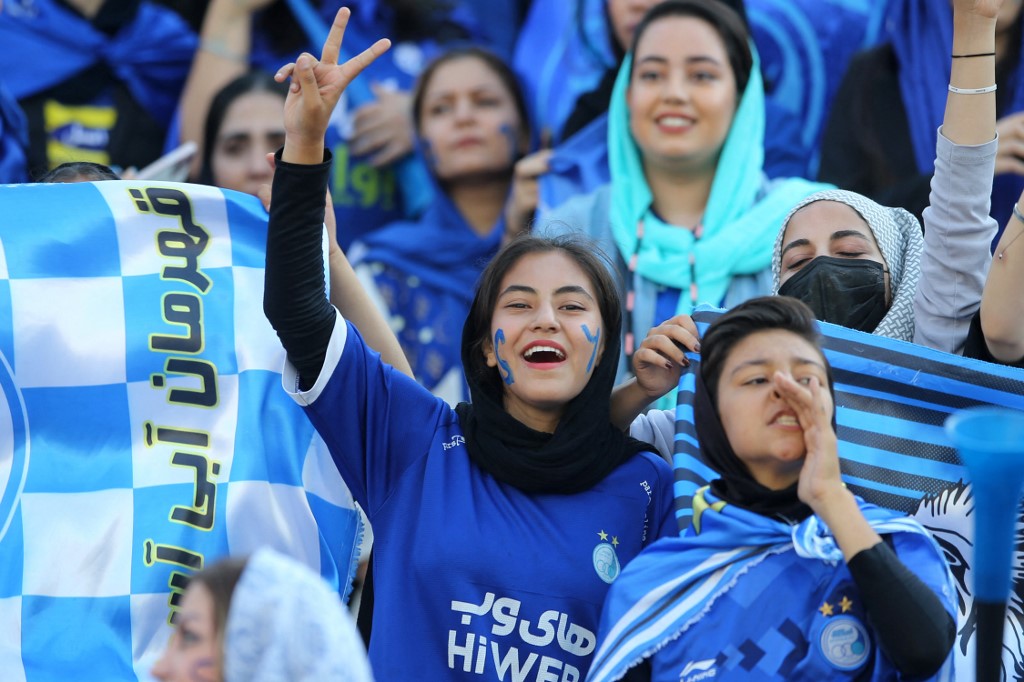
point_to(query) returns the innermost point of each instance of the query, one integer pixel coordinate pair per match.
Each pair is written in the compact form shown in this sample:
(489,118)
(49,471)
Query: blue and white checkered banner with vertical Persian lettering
(144,431)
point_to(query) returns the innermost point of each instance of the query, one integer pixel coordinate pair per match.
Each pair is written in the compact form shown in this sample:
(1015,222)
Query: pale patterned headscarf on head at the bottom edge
(286,625)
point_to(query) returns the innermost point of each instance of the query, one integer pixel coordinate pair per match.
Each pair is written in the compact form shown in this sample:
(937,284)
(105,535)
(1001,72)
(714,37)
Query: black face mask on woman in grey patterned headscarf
(843,291)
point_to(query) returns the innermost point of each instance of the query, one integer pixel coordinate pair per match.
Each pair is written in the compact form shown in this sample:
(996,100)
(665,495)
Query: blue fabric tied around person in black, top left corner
(152,55)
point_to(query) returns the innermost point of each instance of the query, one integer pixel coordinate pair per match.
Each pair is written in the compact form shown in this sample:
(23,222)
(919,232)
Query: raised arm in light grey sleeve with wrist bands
(958,228)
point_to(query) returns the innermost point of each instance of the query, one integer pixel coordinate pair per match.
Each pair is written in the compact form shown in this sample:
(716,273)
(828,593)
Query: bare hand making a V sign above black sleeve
(317,88)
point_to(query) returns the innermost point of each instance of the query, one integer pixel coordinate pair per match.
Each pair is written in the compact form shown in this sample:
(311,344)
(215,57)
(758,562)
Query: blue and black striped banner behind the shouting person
(892,400)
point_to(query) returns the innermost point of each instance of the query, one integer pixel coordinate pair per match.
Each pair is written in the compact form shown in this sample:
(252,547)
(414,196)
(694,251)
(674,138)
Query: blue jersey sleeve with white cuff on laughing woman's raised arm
(376,421)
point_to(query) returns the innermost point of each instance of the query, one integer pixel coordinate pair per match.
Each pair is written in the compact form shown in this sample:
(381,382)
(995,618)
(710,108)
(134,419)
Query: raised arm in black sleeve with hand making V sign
(294,301)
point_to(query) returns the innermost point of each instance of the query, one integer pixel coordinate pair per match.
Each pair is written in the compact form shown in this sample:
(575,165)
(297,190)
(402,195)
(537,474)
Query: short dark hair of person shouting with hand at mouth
(756,315)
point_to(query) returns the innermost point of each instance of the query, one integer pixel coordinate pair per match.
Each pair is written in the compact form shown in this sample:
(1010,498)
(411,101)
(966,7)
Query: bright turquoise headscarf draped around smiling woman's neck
(740,224)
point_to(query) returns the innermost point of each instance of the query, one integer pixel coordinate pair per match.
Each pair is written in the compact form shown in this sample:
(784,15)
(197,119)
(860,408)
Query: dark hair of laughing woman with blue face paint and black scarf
(580,250)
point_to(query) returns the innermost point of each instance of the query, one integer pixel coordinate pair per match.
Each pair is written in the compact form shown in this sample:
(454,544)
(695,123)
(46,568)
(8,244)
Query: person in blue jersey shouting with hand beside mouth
(784,574)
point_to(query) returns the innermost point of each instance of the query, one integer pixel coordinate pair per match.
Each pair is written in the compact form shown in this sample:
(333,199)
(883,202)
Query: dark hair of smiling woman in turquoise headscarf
(731,27)
